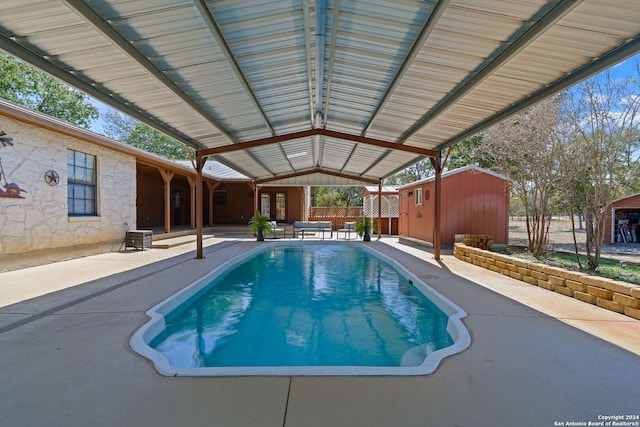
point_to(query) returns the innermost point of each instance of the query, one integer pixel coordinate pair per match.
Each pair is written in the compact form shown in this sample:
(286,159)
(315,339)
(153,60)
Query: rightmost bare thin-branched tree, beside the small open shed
(602,119)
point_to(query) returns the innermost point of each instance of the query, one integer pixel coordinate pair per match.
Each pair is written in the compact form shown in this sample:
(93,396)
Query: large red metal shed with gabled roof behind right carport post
(474,201)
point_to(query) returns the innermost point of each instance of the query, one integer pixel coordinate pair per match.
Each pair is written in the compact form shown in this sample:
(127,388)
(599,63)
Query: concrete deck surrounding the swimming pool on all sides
(536,358)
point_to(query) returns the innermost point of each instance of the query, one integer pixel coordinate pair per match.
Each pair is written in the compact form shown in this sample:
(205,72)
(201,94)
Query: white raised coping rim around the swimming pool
(140,339)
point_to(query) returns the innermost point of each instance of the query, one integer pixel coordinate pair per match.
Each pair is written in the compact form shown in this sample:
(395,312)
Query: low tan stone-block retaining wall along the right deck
(613,295)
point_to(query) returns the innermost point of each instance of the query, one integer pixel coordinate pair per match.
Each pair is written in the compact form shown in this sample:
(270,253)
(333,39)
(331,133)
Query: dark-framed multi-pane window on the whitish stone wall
(81,184)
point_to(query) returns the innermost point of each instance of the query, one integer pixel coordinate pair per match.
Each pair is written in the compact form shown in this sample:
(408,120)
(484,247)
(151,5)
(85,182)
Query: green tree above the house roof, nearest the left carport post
(130,131)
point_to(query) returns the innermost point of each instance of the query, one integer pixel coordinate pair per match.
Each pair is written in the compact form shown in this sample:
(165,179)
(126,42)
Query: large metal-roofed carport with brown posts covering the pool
(323,92)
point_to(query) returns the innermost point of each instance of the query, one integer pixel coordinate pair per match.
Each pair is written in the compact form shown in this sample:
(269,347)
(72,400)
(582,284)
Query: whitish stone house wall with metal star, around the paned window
(40,220)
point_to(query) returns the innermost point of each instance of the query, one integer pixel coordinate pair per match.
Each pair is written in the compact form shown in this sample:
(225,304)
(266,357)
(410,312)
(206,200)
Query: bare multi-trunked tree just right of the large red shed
(524,149)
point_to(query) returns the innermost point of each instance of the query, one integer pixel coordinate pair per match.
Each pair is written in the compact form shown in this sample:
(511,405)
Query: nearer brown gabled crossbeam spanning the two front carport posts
(312,132)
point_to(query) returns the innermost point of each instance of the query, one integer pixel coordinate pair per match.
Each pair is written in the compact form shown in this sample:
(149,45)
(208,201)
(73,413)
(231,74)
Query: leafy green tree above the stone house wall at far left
(25,85)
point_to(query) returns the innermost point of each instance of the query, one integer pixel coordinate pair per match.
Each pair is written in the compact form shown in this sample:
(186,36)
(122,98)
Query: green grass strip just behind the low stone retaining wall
(608,268)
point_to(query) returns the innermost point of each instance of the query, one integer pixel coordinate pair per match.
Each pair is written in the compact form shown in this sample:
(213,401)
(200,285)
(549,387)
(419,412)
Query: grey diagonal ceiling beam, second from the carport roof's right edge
(537,29)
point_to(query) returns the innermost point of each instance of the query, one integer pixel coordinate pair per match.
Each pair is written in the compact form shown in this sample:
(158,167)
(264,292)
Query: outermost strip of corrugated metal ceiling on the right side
(531,69)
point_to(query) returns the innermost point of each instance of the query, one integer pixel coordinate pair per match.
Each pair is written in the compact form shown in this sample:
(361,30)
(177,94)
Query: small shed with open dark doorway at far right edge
(623,220)
